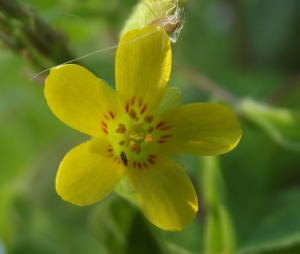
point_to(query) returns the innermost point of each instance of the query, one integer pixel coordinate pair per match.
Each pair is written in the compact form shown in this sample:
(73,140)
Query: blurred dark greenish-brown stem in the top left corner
(23,31)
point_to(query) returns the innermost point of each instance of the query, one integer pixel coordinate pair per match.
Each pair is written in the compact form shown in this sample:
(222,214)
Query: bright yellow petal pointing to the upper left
(79,99)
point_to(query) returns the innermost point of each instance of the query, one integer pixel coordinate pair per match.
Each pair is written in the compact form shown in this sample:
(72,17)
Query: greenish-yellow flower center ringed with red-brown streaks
(134,135)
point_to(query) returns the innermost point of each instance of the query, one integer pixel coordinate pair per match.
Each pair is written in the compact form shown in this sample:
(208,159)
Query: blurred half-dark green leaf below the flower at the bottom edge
(121,228)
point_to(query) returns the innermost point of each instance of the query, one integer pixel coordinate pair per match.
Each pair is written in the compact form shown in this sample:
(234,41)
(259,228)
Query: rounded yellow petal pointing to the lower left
(87,173)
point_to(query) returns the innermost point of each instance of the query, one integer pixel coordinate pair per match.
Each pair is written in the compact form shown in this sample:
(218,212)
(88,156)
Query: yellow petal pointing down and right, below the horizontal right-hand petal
(165,193)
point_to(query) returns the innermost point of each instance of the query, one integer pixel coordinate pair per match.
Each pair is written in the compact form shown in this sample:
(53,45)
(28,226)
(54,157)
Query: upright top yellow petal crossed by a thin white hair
(143,65)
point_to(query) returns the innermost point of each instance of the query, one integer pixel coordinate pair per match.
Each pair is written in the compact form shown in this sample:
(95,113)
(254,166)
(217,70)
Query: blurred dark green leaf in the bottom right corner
(279,227)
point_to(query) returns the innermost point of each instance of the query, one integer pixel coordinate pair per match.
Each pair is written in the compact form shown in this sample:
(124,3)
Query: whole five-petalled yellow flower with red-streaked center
(133,134)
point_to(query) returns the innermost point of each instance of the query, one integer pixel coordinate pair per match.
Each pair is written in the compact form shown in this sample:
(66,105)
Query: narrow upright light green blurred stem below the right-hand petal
(219,231)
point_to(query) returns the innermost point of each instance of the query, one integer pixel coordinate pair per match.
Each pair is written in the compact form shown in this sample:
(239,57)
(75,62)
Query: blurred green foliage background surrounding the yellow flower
(249,198)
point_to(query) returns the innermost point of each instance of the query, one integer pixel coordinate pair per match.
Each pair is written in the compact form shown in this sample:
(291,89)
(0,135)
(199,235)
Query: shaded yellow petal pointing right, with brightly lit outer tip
(198,129)
